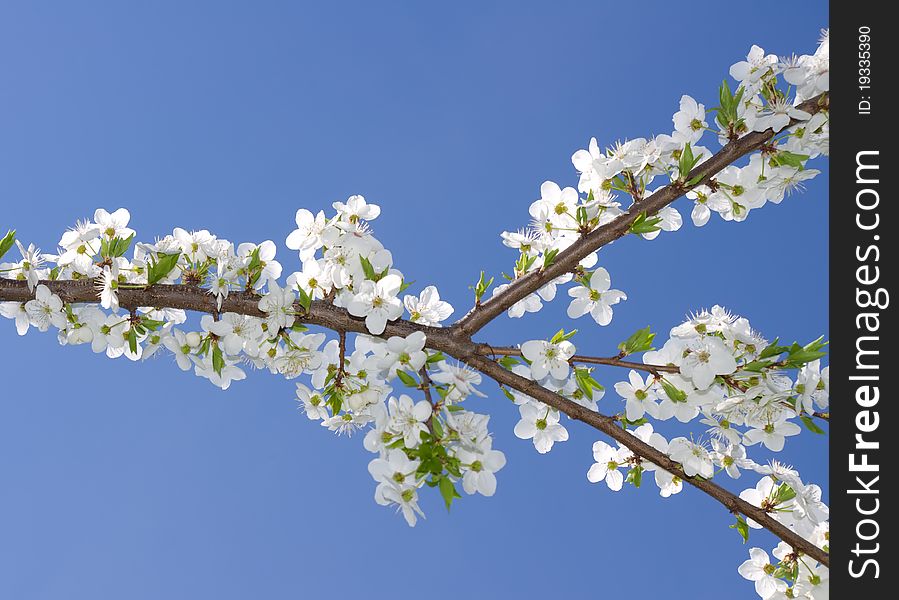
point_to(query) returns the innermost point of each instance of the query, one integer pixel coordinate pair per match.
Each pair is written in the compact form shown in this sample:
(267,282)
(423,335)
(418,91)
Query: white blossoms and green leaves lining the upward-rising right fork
(629,170)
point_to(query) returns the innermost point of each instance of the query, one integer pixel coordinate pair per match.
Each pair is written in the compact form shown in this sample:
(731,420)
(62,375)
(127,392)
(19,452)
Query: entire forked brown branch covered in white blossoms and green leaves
(392,368)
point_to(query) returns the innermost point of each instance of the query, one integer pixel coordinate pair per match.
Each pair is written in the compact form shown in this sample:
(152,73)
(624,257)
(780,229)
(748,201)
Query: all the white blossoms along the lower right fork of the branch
(716,369)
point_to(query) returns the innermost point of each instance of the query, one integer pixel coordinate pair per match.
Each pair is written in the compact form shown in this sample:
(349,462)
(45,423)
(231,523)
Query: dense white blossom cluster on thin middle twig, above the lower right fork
(731,376)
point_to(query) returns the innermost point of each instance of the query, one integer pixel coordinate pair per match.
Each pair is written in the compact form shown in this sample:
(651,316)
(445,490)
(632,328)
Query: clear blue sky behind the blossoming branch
(140,482)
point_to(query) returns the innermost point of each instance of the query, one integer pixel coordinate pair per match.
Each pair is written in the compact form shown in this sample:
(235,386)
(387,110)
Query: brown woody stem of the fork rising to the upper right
(568,260)
